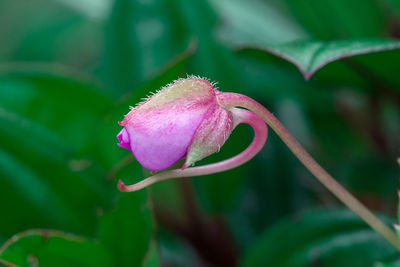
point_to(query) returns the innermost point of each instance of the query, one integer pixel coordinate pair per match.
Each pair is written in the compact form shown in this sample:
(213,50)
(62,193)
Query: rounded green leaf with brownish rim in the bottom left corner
(53,248)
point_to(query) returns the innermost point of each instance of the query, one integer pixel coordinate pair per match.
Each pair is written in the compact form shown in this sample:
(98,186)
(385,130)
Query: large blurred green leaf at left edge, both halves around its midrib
(47,166)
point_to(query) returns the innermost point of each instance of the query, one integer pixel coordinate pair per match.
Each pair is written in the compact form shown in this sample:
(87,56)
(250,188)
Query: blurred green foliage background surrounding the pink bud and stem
(69,70)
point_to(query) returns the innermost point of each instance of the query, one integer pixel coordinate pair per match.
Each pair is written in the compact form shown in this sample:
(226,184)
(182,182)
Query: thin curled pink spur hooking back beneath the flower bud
(239,116)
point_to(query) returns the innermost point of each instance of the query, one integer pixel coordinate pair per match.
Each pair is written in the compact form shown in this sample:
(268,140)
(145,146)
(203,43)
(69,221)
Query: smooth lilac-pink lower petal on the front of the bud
(159,137)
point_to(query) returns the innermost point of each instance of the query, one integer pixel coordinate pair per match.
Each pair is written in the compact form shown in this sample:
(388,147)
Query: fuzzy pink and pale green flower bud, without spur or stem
(183,119)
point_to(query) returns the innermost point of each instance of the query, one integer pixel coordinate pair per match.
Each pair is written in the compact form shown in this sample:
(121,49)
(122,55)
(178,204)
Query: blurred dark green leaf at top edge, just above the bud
(141,38)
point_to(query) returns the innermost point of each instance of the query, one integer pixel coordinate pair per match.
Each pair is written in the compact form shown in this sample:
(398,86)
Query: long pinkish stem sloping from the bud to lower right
(230,100)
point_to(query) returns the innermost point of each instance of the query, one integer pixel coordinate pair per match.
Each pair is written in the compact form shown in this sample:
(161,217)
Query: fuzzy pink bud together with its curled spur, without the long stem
(186,119)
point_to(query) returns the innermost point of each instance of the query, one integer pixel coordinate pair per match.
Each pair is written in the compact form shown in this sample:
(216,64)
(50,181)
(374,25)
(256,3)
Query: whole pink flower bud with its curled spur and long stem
(191,119)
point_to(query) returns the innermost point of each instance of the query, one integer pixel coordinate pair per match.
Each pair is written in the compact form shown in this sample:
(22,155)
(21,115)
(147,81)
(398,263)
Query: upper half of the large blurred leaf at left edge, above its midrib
(63,101)
